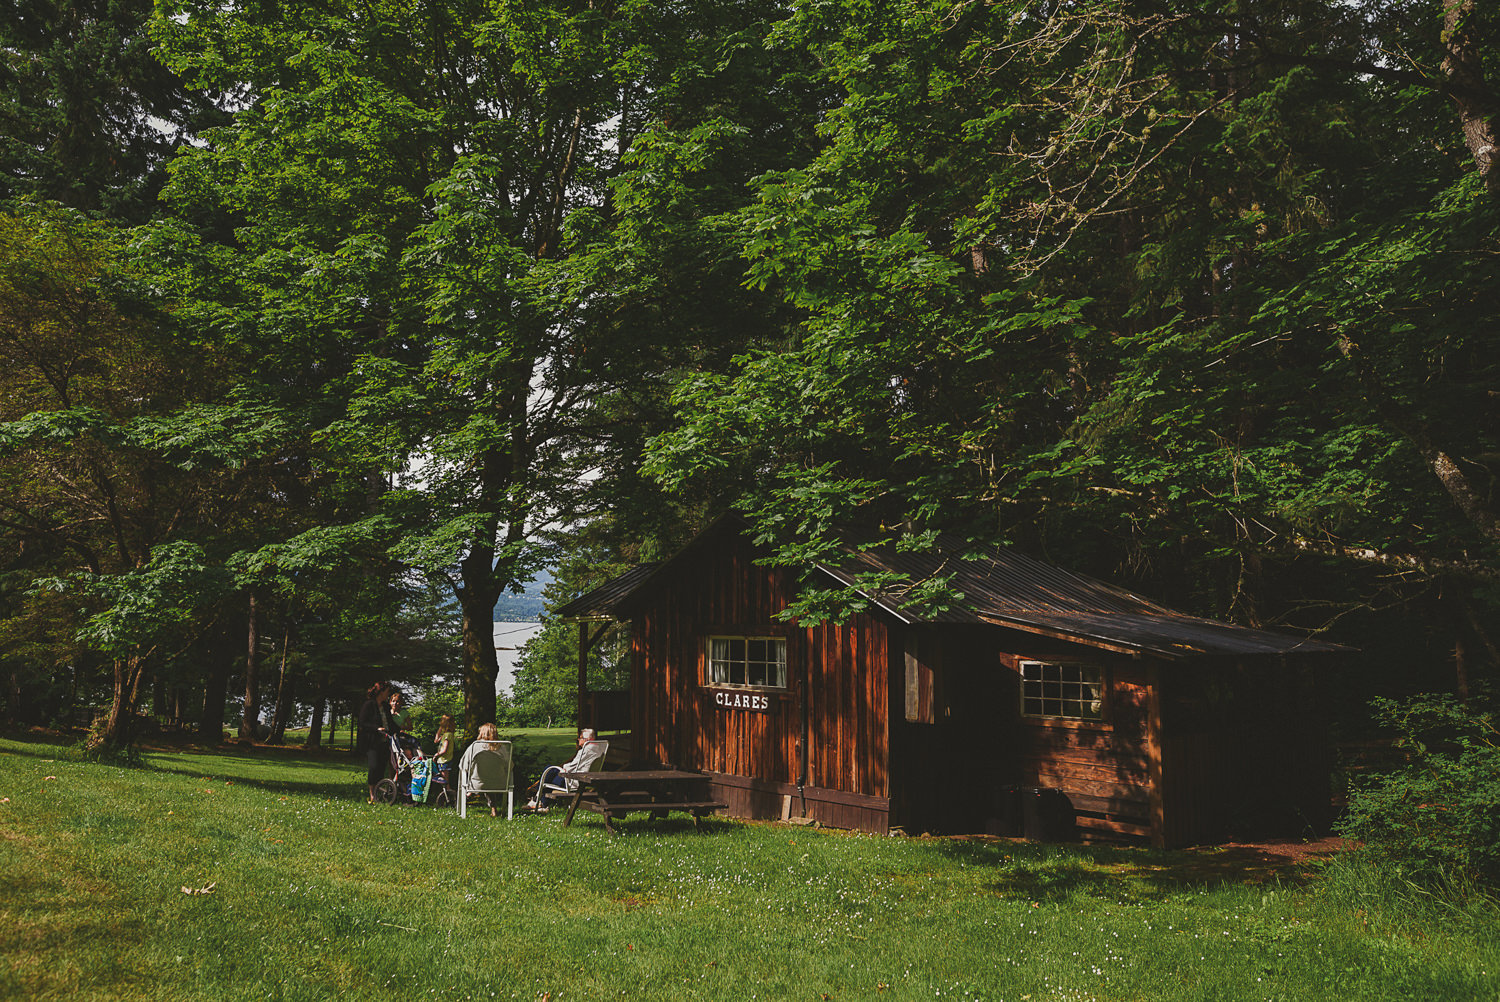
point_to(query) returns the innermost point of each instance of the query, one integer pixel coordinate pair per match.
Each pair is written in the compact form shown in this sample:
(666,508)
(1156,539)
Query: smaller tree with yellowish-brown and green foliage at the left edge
(119,451)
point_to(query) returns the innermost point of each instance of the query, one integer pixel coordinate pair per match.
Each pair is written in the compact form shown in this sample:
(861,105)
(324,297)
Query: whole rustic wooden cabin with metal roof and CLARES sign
(1045,704)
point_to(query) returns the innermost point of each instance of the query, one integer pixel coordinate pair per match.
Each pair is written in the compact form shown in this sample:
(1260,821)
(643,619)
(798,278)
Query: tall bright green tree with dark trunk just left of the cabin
(427,211)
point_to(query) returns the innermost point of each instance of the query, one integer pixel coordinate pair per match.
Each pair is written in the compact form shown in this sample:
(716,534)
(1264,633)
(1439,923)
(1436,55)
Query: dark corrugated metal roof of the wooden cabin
(1003,587)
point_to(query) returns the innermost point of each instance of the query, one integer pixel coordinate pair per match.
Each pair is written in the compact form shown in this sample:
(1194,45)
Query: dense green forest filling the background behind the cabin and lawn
(326,326)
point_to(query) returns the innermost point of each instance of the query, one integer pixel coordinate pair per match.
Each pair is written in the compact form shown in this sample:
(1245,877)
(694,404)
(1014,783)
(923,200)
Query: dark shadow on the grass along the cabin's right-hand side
(1054,872)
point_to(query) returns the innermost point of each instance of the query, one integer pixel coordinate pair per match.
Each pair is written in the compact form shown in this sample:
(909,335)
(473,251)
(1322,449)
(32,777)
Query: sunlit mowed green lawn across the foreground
(316,896)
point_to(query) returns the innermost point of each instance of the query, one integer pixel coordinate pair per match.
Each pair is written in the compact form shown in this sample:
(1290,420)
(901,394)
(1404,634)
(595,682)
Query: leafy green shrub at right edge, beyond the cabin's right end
(1436,818)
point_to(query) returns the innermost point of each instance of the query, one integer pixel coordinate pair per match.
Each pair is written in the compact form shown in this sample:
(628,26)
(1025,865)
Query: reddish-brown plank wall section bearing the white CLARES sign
(716,589)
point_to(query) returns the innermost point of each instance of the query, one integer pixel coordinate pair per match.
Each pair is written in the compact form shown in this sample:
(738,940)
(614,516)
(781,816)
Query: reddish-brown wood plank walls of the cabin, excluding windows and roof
(922,727)
